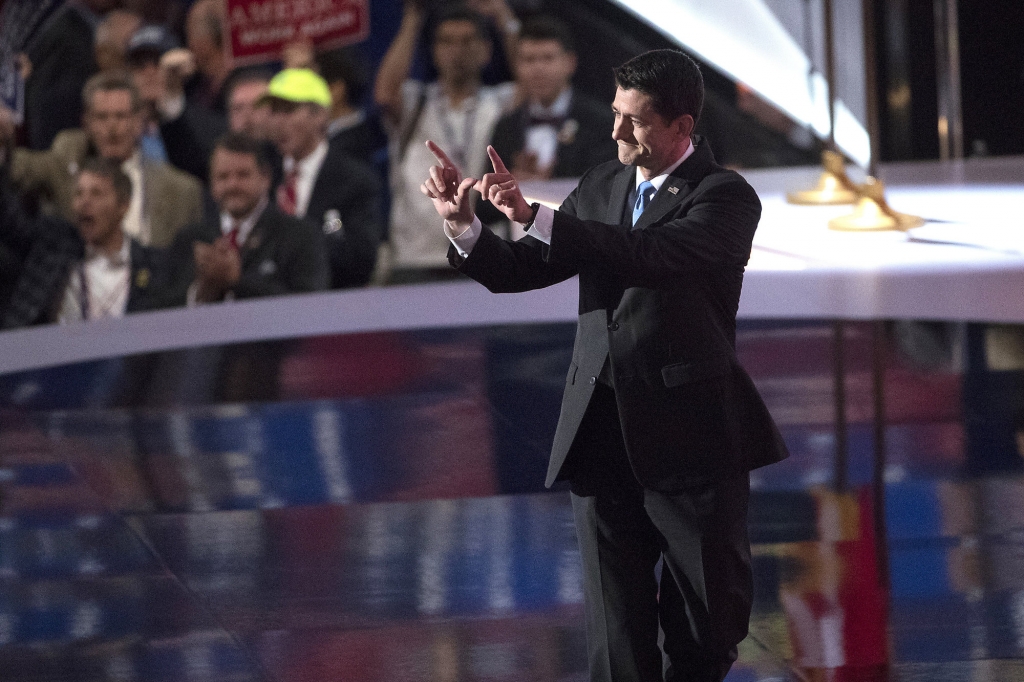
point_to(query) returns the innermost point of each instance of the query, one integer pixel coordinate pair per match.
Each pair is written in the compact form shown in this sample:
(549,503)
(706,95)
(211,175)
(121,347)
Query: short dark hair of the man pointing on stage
(671,79)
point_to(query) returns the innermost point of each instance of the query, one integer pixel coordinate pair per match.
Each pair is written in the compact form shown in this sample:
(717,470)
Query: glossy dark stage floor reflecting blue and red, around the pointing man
(371,508)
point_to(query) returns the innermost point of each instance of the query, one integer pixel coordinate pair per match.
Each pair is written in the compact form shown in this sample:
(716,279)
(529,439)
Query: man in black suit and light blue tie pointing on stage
(660,425)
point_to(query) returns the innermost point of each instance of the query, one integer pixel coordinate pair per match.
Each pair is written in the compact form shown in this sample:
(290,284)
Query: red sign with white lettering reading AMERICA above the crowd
(260,29)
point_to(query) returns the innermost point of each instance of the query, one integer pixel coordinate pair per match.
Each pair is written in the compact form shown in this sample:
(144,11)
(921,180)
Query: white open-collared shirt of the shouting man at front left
(108,283)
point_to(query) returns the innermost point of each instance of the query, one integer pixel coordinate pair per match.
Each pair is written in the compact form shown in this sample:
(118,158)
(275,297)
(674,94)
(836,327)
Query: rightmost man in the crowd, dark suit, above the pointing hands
(558,132)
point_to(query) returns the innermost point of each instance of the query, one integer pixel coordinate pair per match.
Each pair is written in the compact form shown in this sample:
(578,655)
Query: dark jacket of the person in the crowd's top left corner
(63,60)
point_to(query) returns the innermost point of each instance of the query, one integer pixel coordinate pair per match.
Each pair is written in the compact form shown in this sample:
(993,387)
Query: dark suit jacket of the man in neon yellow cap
(346,206)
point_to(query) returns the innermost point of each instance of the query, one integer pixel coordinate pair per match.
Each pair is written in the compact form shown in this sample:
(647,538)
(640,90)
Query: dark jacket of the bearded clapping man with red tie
(282,255)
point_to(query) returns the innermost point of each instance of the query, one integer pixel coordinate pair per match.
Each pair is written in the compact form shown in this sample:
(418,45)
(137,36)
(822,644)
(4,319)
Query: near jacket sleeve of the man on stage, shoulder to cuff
(715,231)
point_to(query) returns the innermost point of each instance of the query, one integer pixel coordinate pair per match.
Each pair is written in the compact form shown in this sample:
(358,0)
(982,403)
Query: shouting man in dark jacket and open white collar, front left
(87,271)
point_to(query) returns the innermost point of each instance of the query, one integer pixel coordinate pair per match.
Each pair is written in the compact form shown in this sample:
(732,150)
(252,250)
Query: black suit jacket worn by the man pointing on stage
(659,304)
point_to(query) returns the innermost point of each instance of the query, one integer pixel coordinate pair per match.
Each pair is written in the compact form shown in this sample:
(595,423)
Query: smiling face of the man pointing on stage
(645,138)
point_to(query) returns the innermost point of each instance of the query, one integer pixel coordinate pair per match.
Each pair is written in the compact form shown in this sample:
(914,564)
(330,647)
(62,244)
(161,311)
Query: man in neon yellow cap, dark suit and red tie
(322,185)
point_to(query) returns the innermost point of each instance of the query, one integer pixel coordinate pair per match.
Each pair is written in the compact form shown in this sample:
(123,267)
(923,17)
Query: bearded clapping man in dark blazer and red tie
(250,249)
